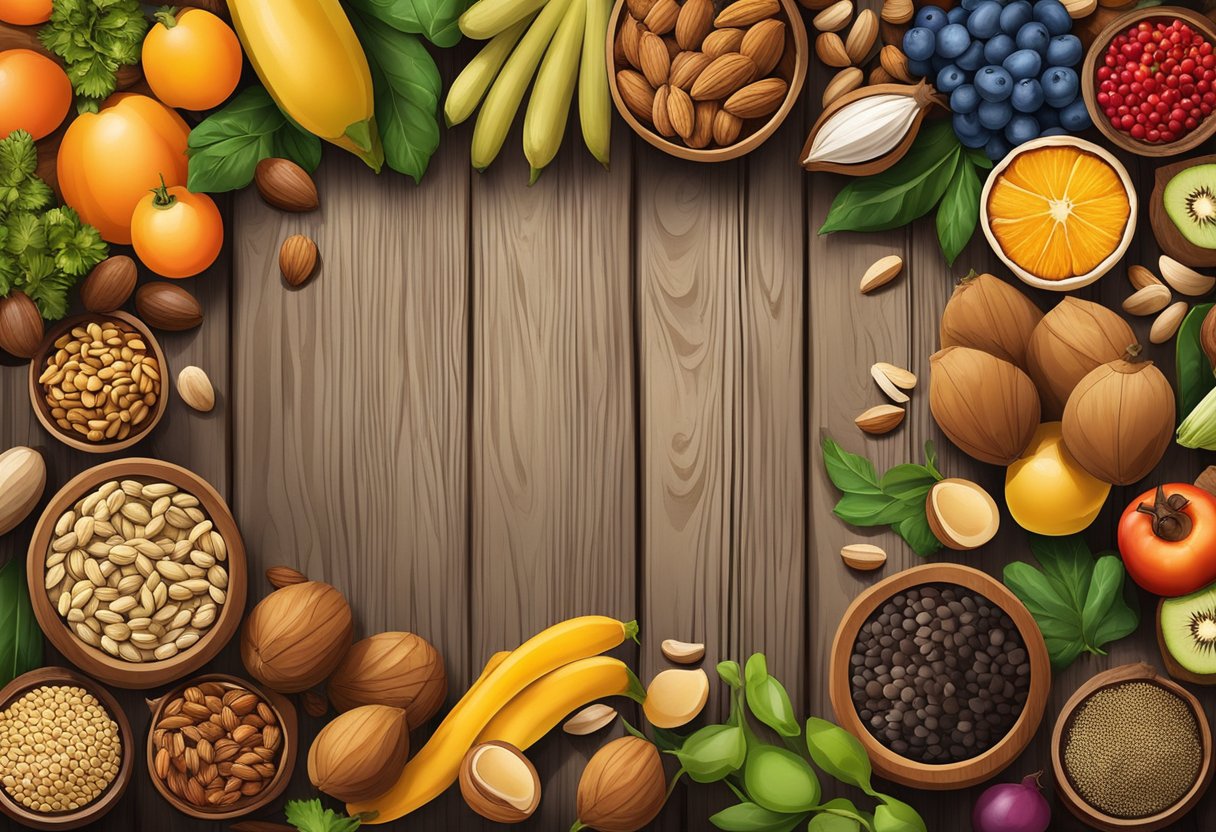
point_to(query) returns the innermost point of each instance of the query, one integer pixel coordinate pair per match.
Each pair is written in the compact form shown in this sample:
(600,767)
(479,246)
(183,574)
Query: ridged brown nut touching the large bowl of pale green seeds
(297,636)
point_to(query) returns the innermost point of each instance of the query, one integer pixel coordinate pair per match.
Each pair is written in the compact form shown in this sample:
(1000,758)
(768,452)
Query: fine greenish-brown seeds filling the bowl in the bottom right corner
(1134,750)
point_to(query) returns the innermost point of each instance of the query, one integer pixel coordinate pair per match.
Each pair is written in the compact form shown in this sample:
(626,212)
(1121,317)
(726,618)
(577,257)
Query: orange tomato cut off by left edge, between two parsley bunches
(35,93)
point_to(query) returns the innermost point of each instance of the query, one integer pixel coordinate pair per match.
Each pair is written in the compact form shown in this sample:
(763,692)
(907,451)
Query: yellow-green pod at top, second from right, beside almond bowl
(550,104)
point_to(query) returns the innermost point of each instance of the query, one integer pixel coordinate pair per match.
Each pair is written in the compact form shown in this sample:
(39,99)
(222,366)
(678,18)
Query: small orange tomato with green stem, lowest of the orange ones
(177,234)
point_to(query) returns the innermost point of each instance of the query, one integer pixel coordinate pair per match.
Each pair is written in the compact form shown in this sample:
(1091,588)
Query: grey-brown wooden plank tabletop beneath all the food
(498,407)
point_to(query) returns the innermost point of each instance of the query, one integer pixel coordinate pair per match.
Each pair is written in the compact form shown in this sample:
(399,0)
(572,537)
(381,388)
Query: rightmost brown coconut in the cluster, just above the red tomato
(1121,420)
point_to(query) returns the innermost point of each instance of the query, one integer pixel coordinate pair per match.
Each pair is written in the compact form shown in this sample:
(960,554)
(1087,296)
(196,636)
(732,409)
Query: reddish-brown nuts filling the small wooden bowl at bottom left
(217,745)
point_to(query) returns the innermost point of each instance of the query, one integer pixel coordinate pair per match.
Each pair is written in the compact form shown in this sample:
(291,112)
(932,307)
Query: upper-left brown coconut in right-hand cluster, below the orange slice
(988,314)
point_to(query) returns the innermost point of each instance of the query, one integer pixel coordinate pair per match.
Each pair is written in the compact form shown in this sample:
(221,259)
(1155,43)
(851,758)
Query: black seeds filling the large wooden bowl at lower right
(939,674)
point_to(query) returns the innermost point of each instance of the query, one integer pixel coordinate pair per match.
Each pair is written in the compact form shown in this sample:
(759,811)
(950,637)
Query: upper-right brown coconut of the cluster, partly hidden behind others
(1073,339)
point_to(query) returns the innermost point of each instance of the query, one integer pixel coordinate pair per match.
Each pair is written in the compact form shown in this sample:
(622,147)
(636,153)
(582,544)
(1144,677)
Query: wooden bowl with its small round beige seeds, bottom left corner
(66,750)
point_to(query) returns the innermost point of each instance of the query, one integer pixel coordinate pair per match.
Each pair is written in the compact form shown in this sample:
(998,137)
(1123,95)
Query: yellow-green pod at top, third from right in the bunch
(503,102)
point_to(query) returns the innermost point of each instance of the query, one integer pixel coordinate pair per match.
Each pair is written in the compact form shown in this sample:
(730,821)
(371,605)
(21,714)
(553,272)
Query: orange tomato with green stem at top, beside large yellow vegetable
(192,60)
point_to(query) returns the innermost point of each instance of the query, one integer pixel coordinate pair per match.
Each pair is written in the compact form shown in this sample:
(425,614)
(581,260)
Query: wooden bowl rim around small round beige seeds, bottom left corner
(72,820)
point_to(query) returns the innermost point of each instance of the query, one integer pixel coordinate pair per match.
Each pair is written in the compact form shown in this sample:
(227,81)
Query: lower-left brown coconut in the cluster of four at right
(987,407)
